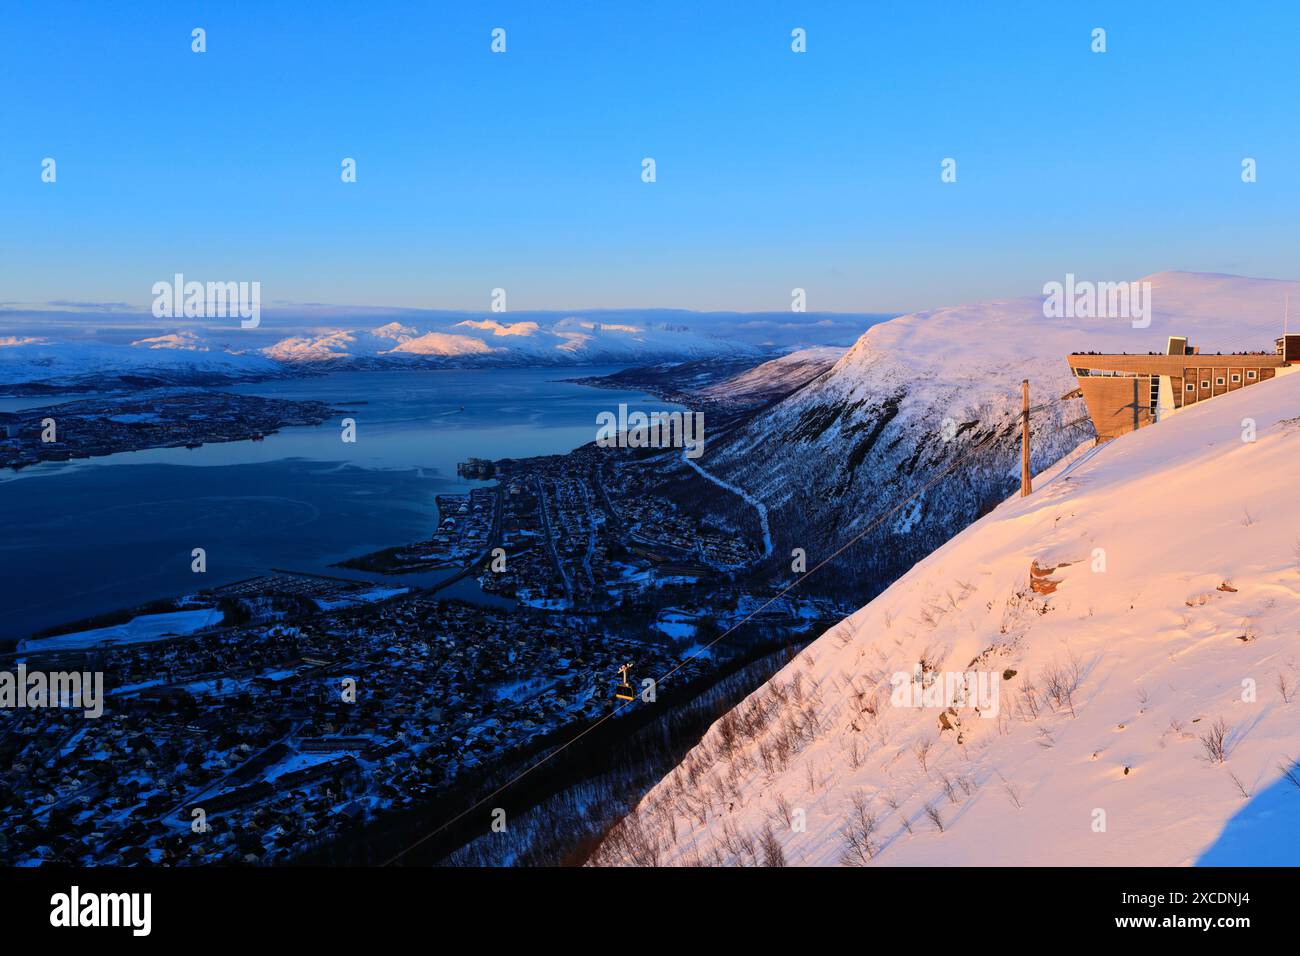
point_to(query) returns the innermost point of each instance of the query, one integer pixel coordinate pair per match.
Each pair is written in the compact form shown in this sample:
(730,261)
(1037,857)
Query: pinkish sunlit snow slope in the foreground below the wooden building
(1145,598)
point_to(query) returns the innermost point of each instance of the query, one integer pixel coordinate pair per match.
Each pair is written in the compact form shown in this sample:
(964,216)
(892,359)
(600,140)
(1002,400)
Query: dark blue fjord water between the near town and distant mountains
(97,535)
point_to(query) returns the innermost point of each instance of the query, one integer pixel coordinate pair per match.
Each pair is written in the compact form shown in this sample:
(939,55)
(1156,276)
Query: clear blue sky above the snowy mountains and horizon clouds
(523,171)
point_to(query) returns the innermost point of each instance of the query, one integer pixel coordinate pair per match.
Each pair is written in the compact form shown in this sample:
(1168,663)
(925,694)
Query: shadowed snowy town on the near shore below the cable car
(288,711)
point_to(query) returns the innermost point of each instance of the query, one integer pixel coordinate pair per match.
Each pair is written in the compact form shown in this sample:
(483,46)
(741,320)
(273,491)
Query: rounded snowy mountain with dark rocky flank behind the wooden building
(917,393)
